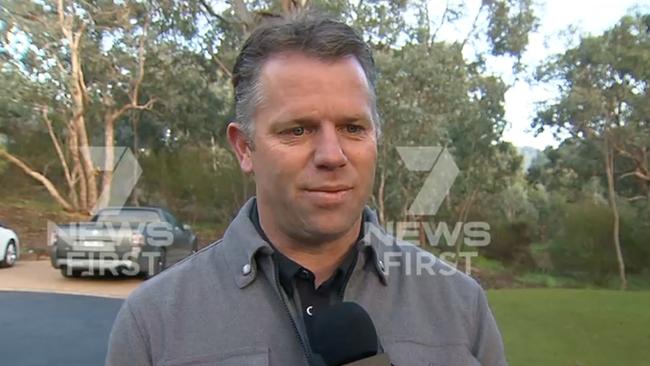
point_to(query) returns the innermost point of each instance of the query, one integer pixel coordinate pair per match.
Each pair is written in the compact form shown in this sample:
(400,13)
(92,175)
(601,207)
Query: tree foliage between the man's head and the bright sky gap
(429,96)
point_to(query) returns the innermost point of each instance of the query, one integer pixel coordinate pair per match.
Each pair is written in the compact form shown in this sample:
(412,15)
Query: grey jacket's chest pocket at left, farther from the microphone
(246,356)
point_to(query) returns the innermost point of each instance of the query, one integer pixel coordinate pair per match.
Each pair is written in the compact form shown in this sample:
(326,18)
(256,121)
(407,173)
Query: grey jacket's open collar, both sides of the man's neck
(242,244)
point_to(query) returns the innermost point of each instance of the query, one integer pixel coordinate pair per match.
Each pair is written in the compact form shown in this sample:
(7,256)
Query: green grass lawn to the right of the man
(563,327)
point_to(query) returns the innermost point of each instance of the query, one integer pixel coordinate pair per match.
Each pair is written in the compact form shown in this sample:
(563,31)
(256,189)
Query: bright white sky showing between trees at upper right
(589,17)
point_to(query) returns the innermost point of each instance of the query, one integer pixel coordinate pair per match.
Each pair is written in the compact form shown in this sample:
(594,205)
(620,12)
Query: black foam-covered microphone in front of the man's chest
(344,335)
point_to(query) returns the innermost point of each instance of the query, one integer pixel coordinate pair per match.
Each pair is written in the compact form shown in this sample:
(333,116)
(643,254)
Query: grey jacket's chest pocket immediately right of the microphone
(411,353)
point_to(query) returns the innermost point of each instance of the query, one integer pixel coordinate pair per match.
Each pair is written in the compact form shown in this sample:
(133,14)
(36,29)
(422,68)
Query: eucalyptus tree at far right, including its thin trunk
(603,99)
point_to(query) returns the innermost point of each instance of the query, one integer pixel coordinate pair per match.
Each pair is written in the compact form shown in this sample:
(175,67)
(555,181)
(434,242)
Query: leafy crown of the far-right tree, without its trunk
(603,103)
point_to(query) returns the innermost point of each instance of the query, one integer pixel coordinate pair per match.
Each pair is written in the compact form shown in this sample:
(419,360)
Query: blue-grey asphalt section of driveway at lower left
(54,329)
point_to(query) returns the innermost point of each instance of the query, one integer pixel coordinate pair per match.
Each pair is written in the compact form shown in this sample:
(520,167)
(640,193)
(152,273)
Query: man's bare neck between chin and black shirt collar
(321,258)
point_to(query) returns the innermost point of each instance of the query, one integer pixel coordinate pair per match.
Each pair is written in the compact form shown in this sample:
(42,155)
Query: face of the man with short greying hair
(314,146)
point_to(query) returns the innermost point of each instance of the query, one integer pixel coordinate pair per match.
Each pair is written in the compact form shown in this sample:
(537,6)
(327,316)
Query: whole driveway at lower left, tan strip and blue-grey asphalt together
(44,320)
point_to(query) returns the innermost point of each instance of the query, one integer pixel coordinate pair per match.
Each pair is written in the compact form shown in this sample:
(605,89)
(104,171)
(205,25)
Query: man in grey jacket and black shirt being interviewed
(307,129)
